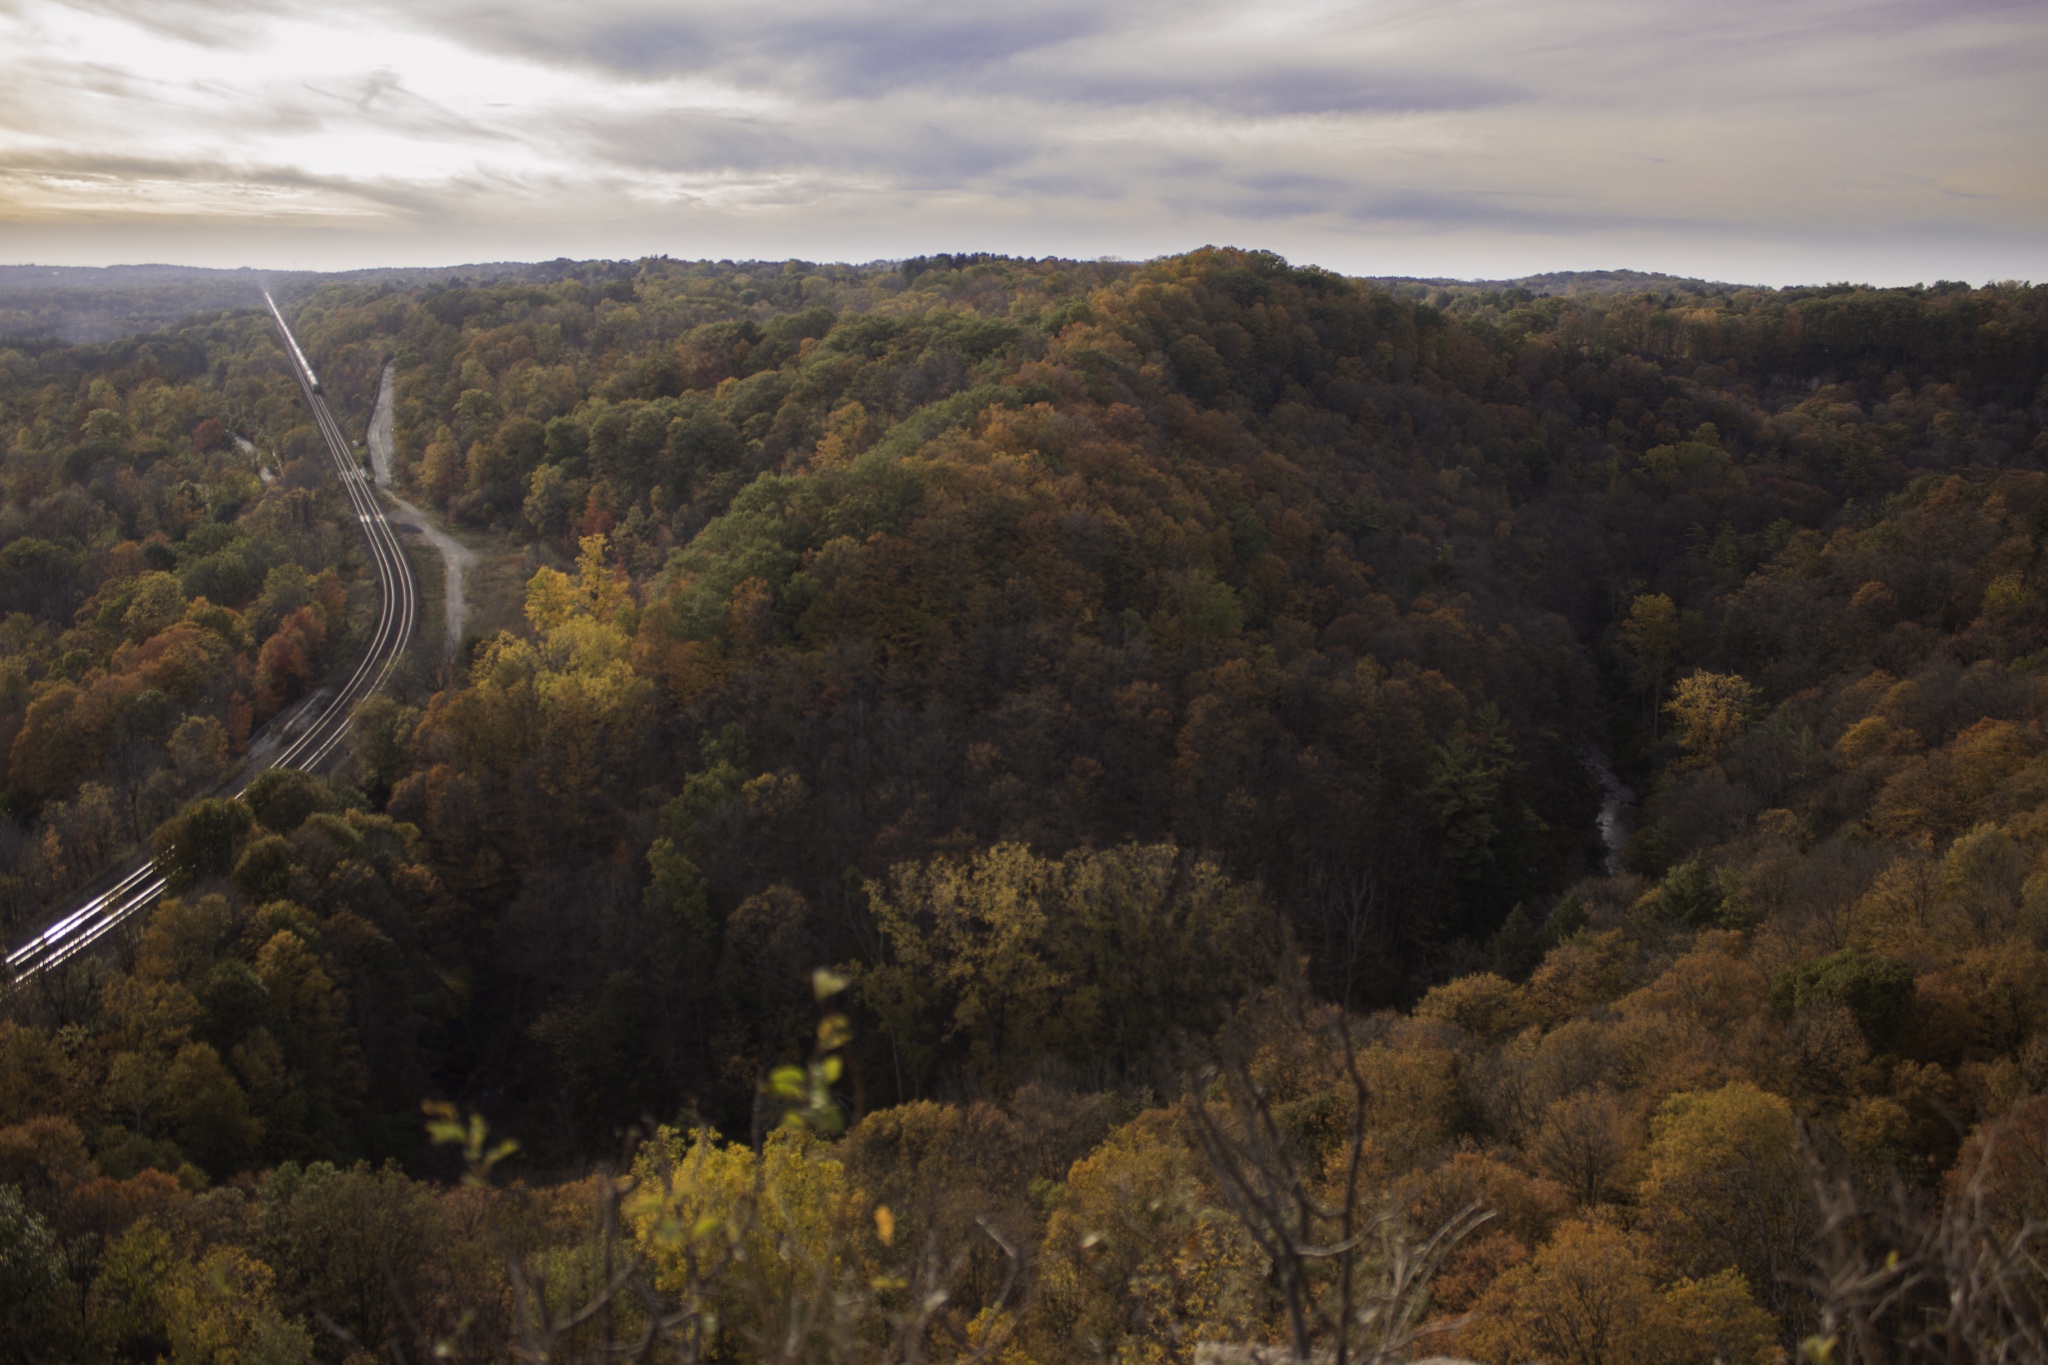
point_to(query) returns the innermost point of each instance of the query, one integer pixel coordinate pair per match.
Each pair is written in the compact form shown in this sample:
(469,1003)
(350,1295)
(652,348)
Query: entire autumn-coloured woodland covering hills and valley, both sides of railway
(1046,811)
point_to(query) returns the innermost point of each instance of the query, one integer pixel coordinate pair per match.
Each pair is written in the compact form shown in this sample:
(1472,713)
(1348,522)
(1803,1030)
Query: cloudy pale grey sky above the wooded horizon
(1746,140)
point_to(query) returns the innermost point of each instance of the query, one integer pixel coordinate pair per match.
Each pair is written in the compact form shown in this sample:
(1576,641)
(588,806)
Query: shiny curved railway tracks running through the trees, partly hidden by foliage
(318,732)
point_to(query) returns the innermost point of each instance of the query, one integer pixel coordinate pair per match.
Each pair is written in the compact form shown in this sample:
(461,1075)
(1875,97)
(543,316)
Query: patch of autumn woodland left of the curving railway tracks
(173,572)
